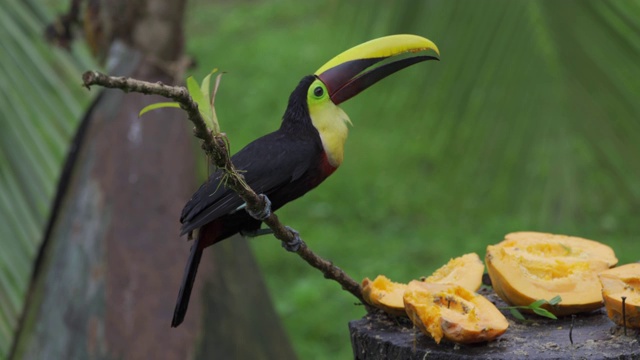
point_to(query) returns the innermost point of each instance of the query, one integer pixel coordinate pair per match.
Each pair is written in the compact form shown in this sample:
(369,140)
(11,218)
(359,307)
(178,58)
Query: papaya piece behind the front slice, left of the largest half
(465,271)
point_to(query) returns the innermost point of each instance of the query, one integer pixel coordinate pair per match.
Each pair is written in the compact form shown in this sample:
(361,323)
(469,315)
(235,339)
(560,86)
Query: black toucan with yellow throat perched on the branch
(305,150)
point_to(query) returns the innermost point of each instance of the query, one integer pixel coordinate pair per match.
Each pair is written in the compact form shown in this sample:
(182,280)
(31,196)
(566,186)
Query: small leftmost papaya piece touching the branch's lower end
(384,294)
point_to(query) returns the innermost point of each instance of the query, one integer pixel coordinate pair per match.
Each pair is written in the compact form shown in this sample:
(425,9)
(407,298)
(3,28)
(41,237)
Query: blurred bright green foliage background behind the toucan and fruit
(529,122)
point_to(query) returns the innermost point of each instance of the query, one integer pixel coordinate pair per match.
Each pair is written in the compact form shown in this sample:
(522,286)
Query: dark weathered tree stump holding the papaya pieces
(380,336)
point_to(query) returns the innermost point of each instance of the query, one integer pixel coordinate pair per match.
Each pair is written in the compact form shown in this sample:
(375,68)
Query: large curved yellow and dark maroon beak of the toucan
(349,73)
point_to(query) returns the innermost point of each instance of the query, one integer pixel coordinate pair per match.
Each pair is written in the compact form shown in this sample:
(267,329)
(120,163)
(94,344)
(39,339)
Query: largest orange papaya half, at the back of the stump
(529,266)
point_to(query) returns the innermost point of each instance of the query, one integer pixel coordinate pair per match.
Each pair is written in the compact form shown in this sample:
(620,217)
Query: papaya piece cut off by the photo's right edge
(619,282)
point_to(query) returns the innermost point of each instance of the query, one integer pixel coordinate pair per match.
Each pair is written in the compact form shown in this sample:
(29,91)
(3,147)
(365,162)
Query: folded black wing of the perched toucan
(267,164)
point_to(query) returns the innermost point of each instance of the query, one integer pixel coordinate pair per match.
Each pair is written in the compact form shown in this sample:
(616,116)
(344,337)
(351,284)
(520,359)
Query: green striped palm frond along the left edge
(40,104)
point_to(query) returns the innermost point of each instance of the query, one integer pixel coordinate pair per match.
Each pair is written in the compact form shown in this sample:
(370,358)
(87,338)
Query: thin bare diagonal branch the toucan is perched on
(215,146)
